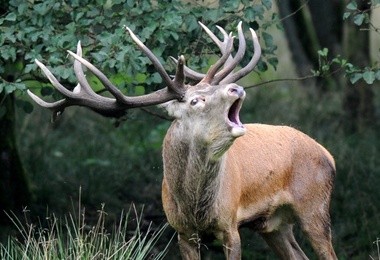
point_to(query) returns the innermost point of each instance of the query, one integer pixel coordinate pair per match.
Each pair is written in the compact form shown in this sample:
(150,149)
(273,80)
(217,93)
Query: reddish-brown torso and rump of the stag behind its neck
(278,169)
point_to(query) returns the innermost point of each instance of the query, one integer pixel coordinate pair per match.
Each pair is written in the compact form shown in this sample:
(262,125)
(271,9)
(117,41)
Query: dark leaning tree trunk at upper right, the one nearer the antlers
(311,26)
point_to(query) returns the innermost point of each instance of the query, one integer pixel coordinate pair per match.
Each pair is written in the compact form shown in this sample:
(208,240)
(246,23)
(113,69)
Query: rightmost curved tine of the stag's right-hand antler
(249,67)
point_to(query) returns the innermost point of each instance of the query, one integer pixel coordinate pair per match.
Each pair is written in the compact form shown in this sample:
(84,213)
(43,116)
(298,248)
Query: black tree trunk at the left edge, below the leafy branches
(14,188)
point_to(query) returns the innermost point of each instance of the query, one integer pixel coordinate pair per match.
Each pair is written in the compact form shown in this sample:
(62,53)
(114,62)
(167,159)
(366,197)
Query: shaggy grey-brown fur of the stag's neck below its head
(193,172)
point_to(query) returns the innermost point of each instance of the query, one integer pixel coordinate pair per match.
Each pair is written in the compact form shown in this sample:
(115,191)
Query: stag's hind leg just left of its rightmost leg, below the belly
(283,243)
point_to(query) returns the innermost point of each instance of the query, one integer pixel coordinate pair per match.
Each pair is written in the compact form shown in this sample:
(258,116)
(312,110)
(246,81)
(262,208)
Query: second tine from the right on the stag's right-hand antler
(231,64)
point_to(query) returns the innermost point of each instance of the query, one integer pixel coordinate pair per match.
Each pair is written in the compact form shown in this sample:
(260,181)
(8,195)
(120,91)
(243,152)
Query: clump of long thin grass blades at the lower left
(73,238)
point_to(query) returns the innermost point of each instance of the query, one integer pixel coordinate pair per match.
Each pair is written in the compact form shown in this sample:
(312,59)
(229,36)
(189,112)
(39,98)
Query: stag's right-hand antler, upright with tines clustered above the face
(226,75)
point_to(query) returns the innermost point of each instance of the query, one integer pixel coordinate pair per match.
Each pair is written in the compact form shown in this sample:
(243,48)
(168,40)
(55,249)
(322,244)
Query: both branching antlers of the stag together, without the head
(83,95)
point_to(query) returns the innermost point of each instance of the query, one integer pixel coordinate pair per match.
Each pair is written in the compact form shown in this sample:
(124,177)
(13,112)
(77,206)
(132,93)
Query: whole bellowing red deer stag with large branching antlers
(219,174)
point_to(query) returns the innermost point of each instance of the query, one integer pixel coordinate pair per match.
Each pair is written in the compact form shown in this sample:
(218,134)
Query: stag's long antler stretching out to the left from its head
(83,95)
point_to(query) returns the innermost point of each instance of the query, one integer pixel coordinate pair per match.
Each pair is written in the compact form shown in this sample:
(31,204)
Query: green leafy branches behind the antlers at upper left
(44,30)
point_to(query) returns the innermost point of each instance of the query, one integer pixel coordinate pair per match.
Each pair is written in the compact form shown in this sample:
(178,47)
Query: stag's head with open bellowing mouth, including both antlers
(213,89)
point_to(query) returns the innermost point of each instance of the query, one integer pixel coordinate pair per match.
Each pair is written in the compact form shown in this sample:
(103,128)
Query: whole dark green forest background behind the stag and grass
(319,73)
